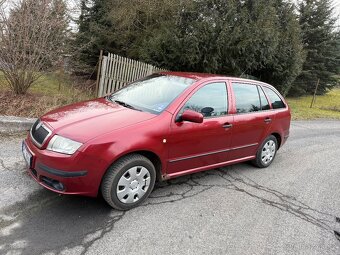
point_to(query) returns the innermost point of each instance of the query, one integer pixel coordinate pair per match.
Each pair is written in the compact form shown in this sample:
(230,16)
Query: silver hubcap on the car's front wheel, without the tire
(133,184)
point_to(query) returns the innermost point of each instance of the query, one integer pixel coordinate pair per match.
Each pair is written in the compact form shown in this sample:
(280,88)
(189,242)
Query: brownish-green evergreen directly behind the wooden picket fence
(117,26)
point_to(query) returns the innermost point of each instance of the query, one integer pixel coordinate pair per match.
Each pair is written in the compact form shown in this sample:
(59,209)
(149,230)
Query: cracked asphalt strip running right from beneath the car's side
(195,185)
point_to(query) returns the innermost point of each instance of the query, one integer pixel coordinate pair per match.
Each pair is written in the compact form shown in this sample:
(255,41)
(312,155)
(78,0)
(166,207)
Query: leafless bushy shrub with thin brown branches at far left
(32,36)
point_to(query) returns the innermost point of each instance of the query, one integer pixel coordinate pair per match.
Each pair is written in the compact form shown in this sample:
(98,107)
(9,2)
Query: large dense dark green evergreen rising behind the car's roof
(260,39)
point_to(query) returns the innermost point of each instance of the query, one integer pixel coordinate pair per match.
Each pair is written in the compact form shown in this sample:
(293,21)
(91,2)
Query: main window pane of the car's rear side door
(247,98)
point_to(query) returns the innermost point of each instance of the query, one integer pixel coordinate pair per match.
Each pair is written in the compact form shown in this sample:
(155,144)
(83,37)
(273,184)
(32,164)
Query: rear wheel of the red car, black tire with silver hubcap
(266,152)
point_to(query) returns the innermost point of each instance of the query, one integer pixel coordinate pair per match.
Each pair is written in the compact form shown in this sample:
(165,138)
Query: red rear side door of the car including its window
(252,119)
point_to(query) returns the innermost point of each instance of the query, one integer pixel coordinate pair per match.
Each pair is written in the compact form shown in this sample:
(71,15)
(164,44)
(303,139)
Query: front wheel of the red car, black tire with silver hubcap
(128,182)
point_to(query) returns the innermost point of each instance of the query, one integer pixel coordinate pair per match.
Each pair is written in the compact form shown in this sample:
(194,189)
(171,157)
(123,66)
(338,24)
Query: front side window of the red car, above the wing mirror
(210,100)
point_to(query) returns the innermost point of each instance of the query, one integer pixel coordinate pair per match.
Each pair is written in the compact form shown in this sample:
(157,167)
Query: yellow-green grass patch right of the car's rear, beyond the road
(326,106)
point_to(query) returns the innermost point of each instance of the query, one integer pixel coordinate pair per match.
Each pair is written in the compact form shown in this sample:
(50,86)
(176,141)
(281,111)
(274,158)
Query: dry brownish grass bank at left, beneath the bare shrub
(49,92)
